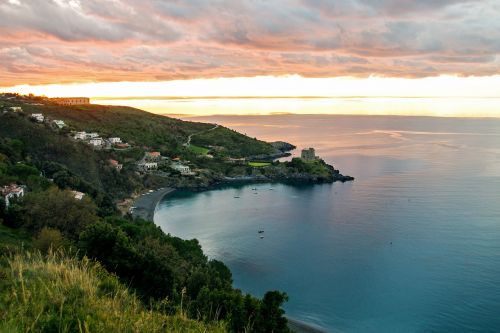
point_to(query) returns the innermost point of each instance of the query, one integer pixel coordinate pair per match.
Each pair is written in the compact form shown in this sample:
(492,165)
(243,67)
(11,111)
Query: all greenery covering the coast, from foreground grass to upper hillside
(170,281)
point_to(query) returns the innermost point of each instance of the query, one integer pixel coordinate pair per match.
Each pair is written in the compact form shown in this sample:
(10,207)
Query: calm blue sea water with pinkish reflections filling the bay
(412,245)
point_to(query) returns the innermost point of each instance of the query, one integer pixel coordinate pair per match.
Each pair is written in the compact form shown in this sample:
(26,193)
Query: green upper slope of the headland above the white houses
(141,128)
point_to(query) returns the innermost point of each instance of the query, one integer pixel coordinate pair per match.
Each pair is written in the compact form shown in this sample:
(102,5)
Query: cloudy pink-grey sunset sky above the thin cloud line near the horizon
(192,47)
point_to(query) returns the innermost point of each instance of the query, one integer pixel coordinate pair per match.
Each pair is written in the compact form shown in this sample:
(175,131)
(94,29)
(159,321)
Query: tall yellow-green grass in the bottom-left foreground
(56,293)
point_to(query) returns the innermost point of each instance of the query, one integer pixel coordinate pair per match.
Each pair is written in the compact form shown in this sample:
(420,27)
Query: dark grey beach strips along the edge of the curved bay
(145,208)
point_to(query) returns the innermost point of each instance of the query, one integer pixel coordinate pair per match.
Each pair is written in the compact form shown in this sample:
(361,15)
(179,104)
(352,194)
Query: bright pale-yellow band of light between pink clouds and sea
(431,96)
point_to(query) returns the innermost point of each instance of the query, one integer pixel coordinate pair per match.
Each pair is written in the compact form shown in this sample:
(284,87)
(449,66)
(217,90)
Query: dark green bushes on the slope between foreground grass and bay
(160,266)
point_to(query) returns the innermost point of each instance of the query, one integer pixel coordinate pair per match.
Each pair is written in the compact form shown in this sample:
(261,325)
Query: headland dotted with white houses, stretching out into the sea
(198,158)
